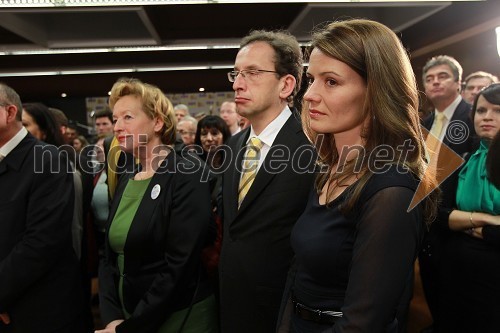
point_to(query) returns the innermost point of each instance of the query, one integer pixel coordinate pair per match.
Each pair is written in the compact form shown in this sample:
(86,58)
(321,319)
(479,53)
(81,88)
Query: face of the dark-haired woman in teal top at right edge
(486,119)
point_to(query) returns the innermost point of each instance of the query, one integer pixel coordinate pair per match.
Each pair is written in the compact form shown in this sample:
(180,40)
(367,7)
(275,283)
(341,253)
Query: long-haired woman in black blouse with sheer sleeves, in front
(358,238)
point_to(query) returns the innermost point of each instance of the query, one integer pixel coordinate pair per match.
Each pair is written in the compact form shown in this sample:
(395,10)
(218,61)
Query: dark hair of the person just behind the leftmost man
(46,122)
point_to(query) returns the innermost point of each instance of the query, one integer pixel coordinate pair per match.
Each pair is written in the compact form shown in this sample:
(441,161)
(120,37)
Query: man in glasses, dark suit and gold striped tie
(261,203)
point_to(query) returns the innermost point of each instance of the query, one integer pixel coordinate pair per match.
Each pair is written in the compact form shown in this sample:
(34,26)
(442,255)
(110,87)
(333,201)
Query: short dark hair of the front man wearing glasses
(288,54)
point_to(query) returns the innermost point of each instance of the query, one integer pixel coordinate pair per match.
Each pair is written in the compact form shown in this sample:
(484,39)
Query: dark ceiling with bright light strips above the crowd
(464,29)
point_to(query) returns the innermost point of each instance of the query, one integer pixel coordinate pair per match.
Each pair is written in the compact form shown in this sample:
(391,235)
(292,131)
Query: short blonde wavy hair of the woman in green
(154,104)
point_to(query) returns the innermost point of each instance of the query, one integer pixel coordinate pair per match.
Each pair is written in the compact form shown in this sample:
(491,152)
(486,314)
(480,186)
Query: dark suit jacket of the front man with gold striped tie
(256,251)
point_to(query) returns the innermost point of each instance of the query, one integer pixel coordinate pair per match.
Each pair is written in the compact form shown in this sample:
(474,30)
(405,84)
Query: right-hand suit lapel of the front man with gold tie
(286,137)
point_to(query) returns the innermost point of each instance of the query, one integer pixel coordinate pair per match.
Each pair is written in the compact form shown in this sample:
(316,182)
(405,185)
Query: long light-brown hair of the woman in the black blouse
(391,104)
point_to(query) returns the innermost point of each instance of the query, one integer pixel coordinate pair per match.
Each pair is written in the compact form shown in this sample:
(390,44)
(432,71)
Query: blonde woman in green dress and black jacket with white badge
(151,280)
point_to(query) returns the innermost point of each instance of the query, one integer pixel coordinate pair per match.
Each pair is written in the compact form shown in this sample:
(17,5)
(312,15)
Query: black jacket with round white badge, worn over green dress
(162,251)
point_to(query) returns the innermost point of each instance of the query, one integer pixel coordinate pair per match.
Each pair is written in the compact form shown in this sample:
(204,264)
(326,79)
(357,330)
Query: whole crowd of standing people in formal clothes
(275,216)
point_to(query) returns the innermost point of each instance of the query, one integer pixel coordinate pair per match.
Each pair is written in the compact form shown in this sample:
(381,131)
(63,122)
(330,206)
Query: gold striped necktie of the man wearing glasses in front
(250,163)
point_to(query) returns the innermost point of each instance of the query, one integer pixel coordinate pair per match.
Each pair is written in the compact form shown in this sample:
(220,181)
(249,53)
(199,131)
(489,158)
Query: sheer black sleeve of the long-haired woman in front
(386,246)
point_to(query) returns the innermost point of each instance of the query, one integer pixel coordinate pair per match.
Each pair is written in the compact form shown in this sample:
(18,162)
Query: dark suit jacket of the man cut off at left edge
(39,276)
